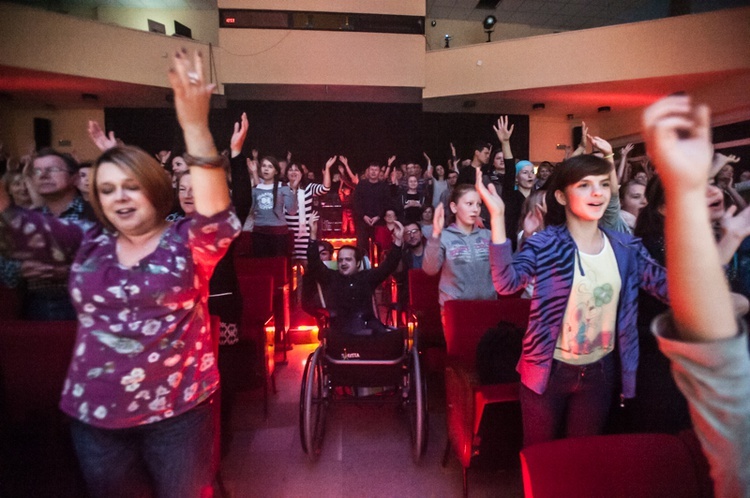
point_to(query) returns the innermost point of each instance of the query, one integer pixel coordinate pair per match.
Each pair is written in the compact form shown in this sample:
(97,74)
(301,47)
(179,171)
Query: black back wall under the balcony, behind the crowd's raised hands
(314,131)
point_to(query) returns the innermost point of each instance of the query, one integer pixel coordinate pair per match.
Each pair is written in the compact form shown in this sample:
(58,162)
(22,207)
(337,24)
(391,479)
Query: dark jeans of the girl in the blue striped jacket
(576,402)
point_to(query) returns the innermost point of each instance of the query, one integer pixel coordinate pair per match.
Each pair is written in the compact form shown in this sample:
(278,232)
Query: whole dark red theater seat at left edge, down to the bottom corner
(36,452)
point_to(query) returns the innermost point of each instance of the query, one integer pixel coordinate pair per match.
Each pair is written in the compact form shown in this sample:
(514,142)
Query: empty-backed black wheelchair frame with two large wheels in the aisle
(345,364)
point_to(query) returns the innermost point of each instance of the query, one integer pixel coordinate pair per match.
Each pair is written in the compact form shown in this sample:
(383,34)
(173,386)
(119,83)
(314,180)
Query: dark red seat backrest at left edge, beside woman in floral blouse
(34,359)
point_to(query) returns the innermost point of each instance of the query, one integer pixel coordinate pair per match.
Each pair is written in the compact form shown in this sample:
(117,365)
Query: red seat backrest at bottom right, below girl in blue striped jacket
(620,465)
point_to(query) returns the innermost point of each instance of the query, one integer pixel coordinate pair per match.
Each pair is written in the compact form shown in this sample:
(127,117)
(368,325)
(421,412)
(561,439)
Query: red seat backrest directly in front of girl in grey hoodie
(467,321)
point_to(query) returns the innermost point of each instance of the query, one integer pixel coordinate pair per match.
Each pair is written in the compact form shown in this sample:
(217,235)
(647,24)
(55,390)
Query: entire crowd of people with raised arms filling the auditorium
(138,249)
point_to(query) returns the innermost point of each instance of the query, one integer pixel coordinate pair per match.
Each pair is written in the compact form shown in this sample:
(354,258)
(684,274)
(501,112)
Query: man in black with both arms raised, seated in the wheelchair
(348,291)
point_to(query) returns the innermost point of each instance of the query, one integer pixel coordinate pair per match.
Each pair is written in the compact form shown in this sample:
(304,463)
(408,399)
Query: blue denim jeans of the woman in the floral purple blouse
(171,458)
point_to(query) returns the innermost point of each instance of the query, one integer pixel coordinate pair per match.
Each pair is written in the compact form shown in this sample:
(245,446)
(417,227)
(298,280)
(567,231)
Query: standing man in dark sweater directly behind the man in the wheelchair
(371,197)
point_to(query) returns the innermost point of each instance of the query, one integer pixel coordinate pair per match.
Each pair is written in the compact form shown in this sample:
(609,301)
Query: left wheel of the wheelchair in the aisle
(313,400)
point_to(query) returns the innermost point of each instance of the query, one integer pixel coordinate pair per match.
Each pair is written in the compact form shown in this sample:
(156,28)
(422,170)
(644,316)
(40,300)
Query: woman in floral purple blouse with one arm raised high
(141,381)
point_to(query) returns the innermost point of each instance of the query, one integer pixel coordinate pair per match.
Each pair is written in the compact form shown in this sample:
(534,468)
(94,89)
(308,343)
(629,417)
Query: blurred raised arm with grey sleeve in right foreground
(714,375)
